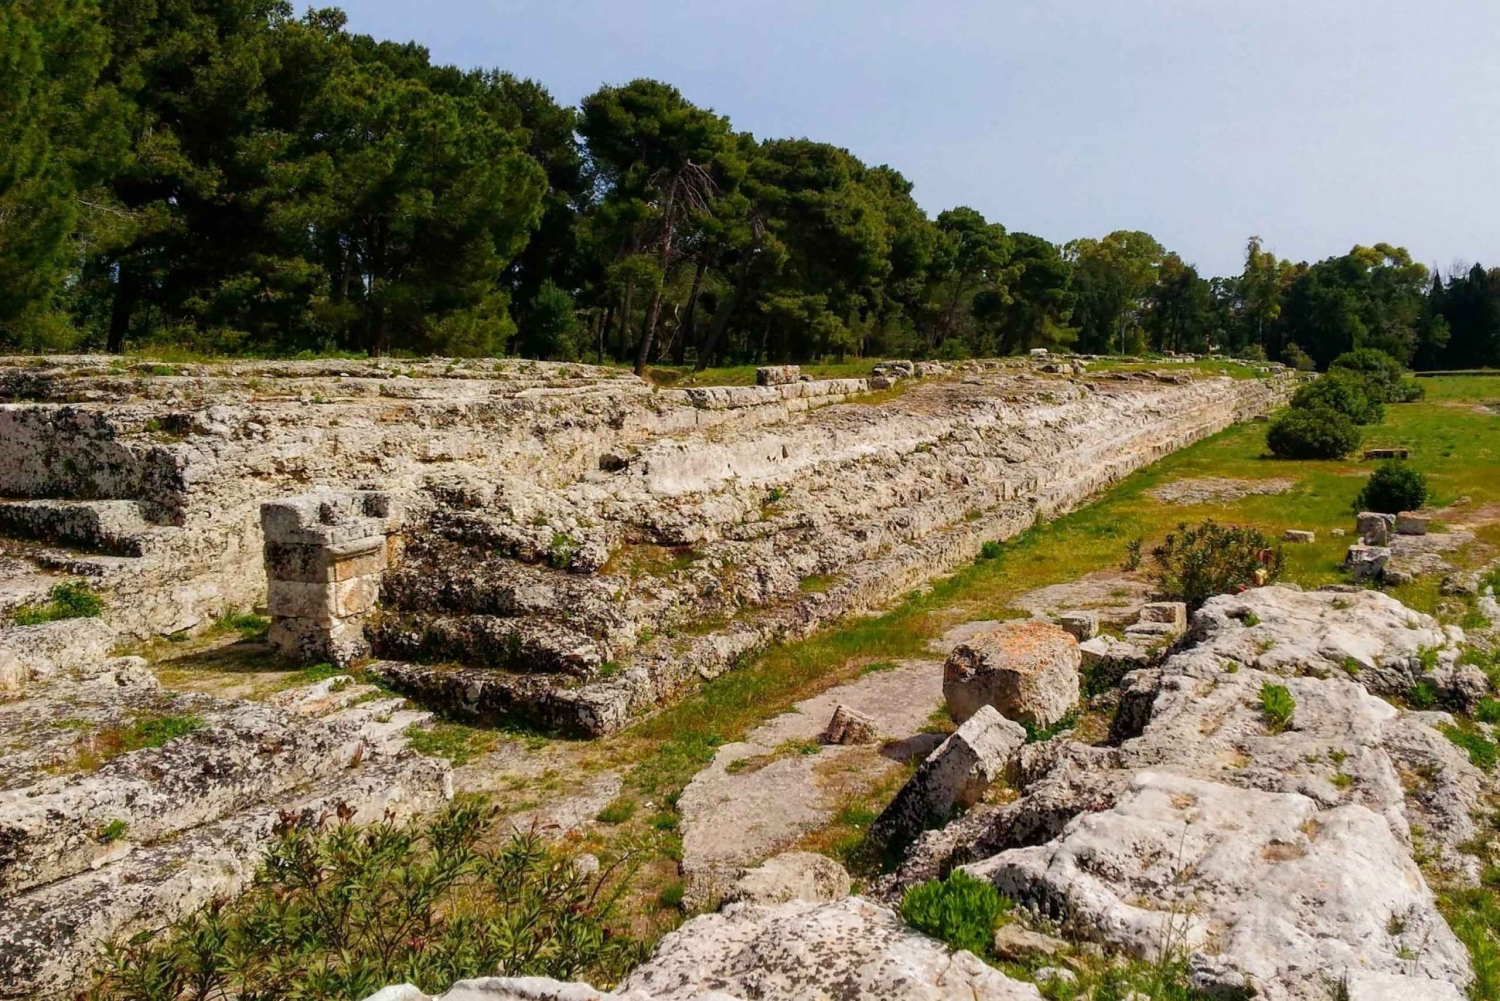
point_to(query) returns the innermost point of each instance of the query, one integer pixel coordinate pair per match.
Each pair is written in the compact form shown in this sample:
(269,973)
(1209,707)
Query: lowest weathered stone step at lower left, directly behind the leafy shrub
(52,936)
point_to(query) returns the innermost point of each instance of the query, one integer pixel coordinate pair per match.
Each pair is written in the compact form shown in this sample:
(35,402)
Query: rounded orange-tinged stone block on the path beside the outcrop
(1028,670)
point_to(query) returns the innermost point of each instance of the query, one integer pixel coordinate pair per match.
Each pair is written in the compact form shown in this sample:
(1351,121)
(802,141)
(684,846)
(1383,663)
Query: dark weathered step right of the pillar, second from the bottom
(527,646)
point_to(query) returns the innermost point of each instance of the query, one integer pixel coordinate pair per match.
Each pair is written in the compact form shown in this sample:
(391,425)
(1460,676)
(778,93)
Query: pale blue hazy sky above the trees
(1313,124)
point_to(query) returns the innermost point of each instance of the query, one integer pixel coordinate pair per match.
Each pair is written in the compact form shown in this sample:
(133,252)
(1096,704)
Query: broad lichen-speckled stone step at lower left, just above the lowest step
(226,759)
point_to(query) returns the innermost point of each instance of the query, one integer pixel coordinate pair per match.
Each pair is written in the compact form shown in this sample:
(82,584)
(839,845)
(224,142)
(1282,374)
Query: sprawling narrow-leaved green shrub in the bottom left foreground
(343,912)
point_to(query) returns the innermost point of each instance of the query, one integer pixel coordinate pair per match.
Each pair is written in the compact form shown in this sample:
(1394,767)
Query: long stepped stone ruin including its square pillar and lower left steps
(494,540)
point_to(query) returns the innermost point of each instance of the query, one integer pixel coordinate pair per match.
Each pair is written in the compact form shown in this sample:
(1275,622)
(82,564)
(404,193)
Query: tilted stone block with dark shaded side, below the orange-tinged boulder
(956,775)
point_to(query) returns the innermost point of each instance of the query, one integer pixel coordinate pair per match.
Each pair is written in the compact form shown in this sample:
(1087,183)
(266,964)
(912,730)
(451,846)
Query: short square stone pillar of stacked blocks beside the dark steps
(325,558)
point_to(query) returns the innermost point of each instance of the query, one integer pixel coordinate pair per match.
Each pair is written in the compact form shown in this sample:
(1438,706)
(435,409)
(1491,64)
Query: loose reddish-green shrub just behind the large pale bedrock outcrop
(1193,565)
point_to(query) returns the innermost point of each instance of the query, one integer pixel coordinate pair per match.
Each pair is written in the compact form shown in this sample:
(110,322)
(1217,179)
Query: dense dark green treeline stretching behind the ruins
(226,176)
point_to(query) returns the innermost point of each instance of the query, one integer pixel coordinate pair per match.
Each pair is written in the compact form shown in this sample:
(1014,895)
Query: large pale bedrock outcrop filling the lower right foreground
(1279,855)
